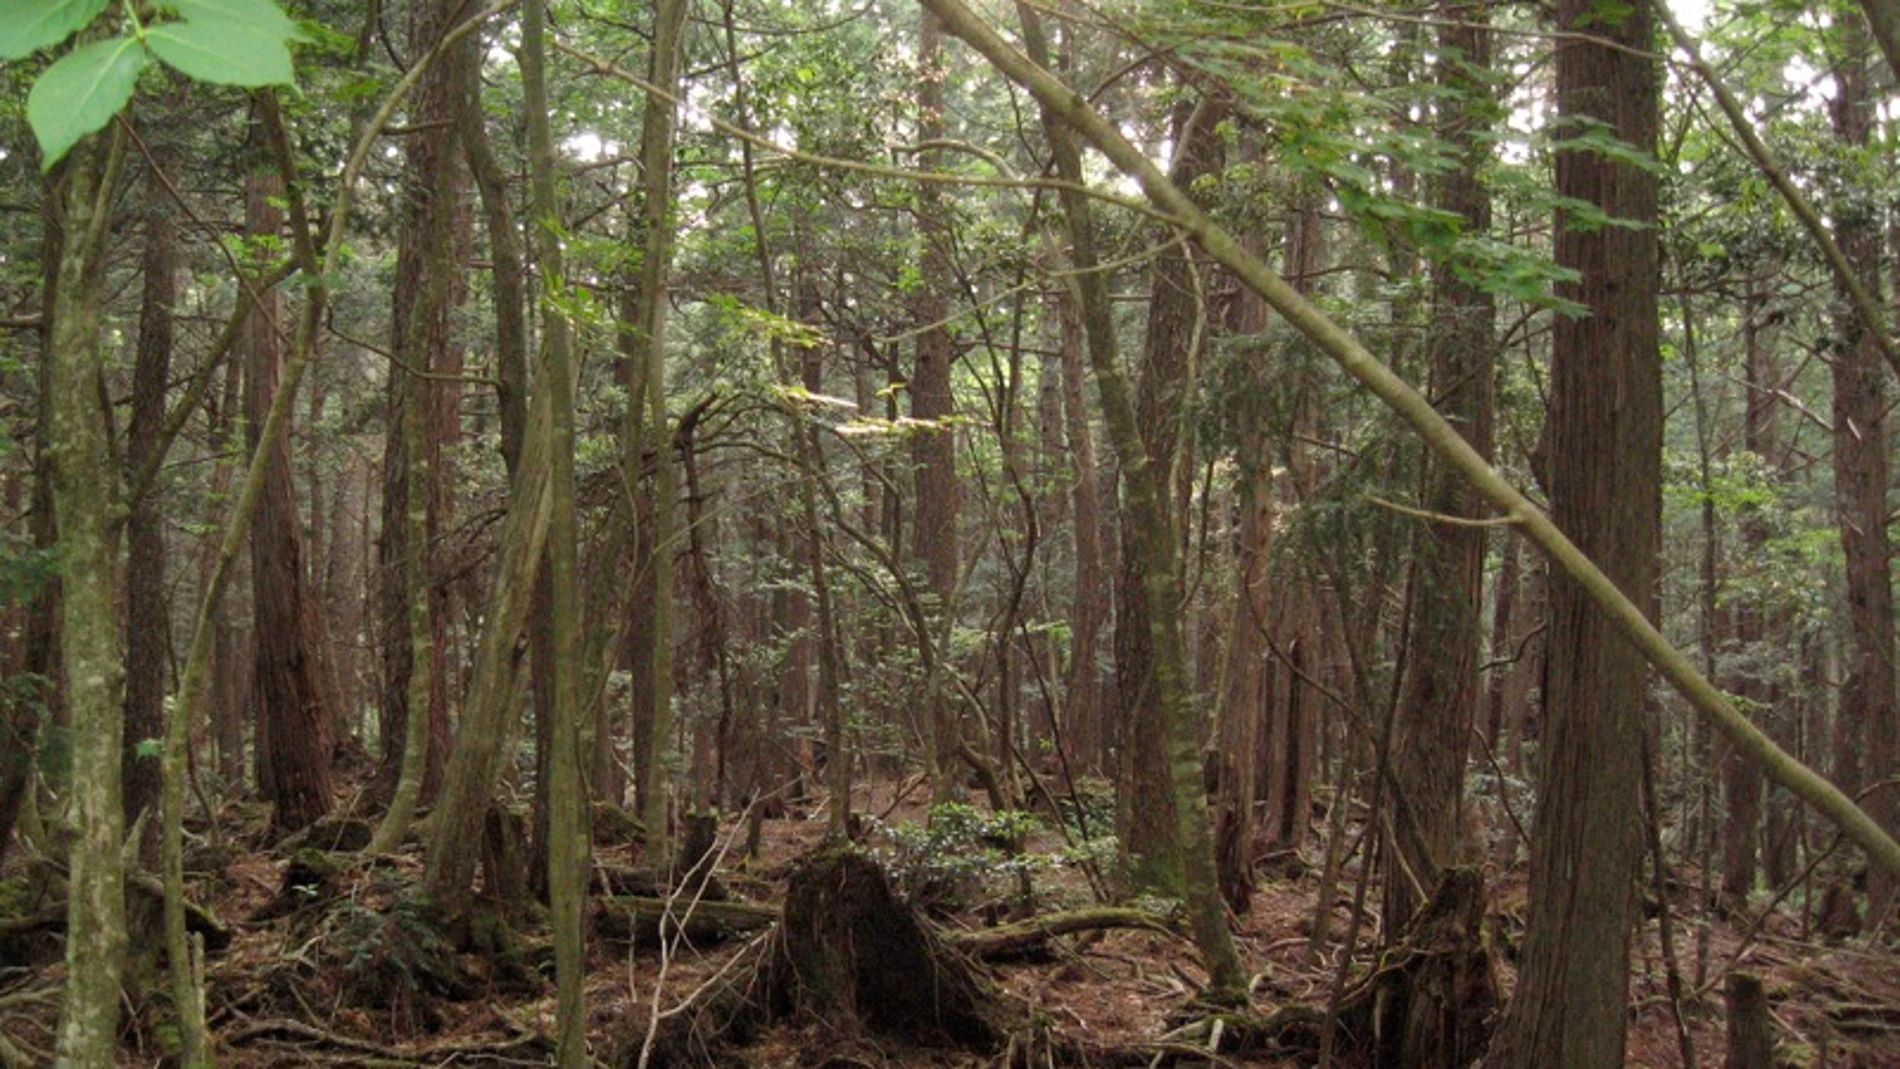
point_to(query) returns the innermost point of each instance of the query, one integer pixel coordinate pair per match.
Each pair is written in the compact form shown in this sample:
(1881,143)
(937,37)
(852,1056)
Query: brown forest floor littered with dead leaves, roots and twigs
(351,979)
